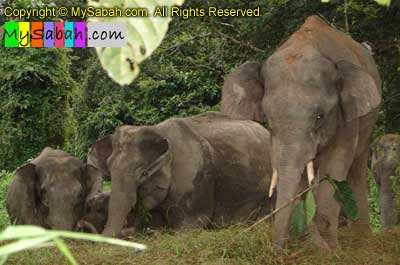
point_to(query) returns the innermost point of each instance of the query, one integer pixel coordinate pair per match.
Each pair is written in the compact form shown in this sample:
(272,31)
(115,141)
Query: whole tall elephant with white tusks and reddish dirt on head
(321,98)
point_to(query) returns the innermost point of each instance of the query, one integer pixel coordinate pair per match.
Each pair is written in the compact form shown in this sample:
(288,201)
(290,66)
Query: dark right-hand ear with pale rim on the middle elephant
(155,151)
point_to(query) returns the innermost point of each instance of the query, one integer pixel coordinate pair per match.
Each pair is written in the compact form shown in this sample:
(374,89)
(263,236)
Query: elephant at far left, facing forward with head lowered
(50,191)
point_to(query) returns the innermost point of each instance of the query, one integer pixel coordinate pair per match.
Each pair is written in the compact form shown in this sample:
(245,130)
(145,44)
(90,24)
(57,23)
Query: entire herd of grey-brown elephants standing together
(319,94)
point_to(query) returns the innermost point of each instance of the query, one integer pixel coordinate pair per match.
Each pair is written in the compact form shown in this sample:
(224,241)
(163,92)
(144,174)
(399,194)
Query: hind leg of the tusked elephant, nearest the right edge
(358,181)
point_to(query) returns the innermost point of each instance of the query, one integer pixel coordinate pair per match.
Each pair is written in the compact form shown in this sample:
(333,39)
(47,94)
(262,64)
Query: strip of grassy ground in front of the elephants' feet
(226,246)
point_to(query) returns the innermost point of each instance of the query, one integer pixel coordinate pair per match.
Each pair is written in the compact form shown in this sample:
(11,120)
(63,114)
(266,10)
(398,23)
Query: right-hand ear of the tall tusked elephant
(359,92)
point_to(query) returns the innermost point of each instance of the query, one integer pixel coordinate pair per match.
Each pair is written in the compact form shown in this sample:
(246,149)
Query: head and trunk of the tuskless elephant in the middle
(138,160)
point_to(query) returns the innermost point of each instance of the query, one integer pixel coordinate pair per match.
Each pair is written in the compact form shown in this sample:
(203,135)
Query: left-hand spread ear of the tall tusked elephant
(242,93)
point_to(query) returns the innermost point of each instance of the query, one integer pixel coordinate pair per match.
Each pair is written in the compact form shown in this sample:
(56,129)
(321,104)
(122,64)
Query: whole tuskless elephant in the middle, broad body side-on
(198,171)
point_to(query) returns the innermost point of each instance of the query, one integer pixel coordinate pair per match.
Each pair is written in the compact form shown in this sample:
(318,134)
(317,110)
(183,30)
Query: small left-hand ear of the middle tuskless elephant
(99,152)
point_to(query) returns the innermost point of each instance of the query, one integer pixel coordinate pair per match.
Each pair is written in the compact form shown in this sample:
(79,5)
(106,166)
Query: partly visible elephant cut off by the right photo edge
(385,161)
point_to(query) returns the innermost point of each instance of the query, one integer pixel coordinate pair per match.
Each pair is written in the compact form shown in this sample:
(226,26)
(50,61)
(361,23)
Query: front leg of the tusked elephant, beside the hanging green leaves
(327,216)
